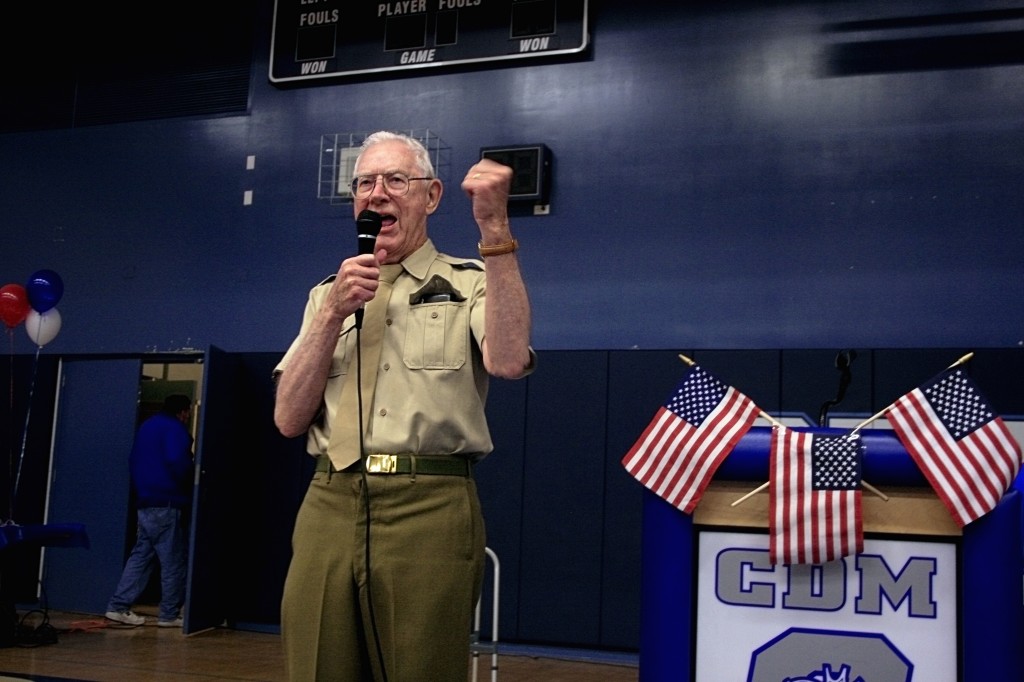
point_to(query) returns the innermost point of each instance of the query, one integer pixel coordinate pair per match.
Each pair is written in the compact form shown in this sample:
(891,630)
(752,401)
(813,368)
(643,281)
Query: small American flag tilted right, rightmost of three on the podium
(962,446)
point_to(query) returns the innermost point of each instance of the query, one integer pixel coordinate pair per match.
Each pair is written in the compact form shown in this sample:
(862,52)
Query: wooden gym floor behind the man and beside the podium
(90,648)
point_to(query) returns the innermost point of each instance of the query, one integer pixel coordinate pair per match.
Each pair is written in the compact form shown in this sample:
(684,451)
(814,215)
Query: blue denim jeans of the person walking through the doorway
(162,536)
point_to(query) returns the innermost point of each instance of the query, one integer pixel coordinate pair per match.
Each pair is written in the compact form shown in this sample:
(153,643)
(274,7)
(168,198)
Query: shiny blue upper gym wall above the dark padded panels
(727,176)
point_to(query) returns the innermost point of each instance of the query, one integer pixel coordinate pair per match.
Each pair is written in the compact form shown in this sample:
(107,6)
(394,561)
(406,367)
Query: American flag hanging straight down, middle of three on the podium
(815,497)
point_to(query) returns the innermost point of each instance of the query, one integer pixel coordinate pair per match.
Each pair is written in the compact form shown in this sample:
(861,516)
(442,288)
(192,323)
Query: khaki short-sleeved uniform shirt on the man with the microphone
(432,385)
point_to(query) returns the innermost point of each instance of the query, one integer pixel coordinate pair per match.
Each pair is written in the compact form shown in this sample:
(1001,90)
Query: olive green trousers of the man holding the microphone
(426,567)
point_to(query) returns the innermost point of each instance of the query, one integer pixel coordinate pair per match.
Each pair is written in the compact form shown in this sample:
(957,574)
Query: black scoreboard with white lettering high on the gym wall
(314,39)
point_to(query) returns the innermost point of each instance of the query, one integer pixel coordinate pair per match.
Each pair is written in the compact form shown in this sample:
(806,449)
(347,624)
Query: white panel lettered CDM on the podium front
(888,615)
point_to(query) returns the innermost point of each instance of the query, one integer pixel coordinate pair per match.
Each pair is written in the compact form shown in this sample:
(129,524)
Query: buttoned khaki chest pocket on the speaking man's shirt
(437,335)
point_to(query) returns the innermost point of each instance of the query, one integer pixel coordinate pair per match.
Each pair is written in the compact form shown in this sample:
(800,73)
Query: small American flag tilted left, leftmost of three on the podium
(690,437)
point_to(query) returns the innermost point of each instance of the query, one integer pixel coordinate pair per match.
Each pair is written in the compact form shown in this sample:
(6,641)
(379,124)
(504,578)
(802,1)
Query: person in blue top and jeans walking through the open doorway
(162,474)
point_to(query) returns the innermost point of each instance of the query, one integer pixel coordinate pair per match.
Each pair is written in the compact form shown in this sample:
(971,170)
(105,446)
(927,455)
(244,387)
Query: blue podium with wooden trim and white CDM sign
(925,601)
